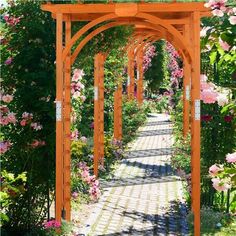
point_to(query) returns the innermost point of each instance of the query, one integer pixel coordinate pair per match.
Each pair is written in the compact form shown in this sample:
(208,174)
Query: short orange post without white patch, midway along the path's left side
(118,113)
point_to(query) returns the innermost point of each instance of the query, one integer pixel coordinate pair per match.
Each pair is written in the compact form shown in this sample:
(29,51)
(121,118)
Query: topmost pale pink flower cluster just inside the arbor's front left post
(76,85)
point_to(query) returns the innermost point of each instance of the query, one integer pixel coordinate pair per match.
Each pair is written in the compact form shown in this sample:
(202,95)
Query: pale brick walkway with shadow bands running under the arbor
(145,197)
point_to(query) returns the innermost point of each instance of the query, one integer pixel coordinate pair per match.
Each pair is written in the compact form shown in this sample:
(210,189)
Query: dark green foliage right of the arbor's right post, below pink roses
(220,135)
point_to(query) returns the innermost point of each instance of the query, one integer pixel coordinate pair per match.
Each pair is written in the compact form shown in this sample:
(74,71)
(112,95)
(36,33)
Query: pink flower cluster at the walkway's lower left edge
(91,180)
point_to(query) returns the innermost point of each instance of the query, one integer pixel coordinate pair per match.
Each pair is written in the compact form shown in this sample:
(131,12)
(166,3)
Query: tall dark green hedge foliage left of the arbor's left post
(30,77)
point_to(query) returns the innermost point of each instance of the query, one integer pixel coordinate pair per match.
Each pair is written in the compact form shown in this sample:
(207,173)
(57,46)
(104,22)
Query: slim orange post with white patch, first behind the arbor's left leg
(96,114)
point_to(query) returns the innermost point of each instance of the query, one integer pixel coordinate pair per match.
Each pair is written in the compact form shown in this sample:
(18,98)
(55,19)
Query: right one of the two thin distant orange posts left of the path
(140,77)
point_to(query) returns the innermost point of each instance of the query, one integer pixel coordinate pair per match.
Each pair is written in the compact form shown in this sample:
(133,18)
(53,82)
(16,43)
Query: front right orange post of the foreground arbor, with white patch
(195,122)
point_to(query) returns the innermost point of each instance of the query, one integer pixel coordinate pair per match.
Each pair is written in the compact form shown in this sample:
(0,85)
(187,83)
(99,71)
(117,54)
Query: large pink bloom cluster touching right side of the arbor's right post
(208,93)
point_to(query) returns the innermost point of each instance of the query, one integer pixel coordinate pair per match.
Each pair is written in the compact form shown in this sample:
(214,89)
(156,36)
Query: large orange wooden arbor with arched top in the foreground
(170,21)
